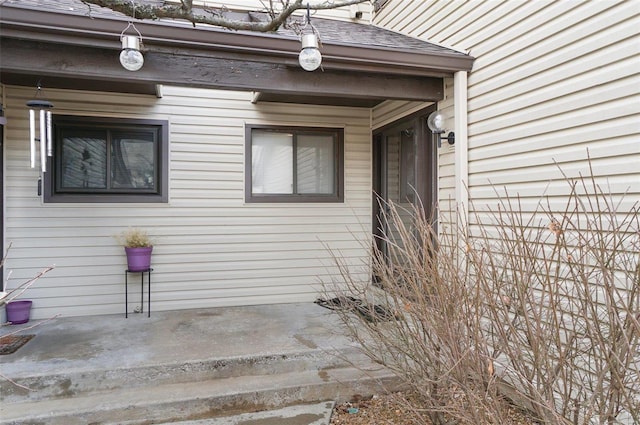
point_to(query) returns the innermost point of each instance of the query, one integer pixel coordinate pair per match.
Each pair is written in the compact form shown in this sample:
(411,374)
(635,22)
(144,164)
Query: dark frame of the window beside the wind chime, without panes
(53,194)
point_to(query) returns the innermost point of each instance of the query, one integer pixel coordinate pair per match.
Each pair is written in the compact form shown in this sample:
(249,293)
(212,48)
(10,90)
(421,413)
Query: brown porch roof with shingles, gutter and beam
(362,65)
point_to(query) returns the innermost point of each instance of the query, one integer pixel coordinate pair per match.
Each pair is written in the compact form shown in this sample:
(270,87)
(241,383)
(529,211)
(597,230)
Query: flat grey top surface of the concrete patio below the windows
(111,341)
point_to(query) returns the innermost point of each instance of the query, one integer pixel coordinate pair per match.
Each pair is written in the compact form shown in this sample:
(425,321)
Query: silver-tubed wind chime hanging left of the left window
(43,108)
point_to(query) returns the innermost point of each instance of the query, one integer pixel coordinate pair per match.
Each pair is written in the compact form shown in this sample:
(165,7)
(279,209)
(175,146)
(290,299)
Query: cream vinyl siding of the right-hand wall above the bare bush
(552,79)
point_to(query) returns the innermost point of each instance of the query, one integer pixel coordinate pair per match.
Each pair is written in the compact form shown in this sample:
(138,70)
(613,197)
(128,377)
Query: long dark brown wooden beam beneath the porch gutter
(79,63)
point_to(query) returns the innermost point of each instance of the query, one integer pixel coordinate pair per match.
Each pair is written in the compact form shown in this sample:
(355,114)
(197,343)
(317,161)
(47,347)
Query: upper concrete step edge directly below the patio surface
(73,383)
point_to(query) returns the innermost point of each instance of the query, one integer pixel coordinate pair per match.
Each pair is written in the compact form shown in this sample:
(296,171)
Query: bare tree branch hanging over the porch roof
(278,12)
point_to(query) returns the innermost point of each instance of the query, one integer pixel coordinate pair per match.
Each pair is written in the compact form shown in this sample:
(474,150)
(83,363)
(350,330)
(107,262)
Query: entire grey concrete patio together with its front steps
(184,365)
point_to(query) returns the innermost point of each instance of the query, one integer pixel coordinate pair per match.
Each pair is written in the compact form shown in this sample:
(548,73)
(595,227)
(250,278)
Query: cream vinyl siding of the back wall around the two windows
(212,249)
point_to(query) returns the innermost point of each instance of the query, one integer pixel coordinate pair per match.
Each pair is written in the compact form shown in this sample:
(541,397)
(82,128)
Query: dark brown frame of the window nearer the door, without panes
(338,193)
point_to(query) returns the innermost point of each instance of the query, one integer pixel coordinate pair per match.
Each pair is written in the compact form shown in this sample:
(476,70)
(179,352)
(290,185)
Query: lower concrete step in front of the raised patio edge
(172,402)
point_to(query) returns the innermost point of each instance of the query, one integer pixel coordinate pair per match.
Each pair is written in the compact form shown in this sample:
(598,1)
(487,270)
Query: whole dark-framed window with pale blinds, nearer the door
(294,164)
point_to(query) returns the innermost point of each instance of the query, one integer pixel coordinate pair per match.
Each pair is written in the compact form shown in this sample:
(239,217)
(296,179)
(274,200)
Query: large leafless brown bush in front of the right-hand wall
(540,308)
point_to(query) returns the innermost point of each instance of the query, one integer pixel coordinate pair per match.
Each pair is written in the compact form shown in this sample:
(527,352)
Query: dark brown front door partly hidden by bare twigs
(404,156)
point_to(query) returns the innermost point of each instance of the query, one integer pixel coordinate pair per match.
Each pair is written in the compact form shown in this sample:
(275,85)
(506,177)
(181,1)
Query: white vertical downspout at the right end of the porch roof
(462,146)
